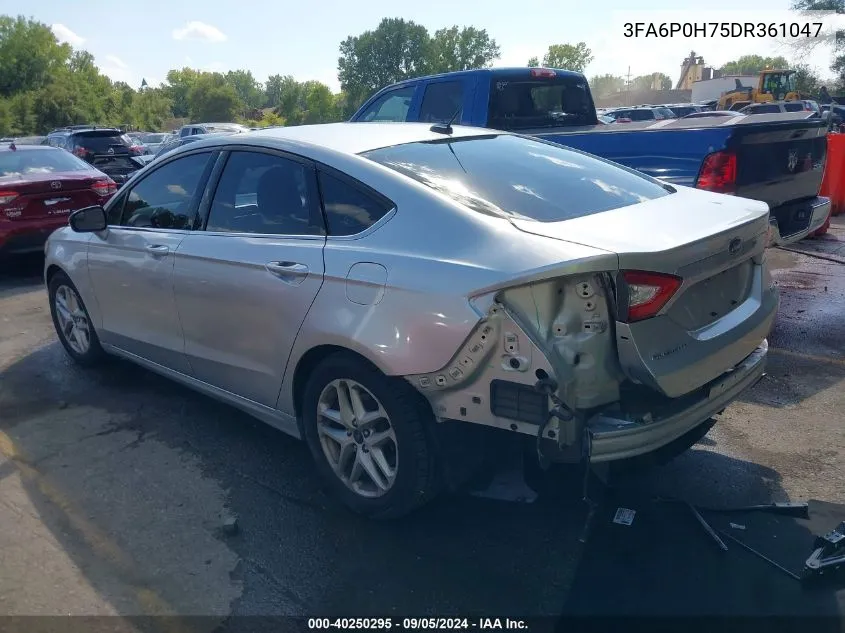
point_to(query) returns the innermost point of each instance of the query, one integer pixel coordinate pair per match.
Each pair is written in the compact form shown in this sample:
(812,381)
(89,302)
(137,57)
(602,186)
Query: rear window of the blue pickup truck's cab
(521,104)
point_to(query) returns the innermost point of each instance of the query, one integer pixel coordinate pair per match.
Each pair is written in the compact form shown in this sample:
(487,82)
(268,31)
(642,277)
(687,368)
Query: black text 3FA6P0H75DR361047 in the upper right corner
(723,29)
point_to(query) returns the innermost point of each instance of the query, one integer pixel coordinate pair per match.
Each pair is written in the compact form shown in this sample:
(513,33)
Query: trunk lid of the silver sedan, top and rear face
(714,247)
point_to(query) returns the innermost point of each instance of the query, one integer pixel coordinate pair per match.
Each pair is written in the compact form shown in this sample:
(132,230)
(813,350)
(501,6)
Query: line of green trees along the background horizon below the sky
(46,84)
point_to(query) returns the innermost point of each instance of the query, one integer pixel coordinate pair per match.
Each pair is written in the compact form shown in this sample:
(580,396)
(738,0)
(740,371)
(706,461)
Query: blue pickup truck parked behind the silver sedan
(776,158)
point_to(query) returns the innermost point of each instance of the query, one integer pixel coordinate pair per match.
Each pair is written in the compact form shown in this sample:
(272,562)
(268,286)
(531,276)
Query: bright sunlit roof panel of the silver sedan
(355,138)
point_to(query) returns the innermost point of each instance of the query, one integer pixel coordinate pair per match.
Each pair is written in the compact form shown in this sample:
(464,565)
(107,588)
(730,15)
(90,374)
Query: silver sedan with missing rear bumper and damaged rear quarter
(372,287)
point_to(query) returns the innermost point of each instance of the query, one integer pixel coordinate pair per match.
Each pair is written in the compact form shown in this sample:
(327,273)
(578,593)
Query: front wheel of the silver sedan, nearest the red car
(72,322)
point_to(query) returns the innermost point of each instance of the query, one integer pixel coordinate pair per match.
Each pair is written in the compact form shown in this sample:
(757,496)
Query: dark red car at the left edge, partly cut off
(39,187)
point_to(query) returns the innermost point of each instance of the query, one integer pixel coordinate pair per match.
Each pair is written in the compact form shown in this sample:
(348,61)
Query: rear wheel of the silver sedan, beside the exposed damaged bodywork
(369,435)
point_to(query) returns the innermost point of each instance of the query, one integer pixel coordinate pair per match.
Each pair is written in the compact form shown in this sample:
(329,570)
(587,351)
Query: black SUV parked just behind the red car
(107,149)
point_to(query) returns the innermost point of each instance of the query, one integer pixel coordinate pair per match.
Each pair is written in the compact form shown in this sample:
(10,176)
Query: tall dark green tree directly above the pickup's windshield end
(397,49)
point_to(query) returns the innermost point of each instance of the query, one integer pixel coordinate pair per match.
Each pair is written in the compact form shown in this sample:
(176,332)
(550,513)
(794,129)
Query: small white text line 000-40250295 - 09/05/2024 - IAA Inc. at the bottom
(418,624)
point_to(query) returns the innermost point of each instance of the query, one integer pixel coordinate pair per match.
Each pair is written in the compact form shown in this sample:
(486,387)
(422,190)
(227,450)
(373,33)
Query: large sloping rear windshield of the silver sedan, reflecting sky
(511,176)
